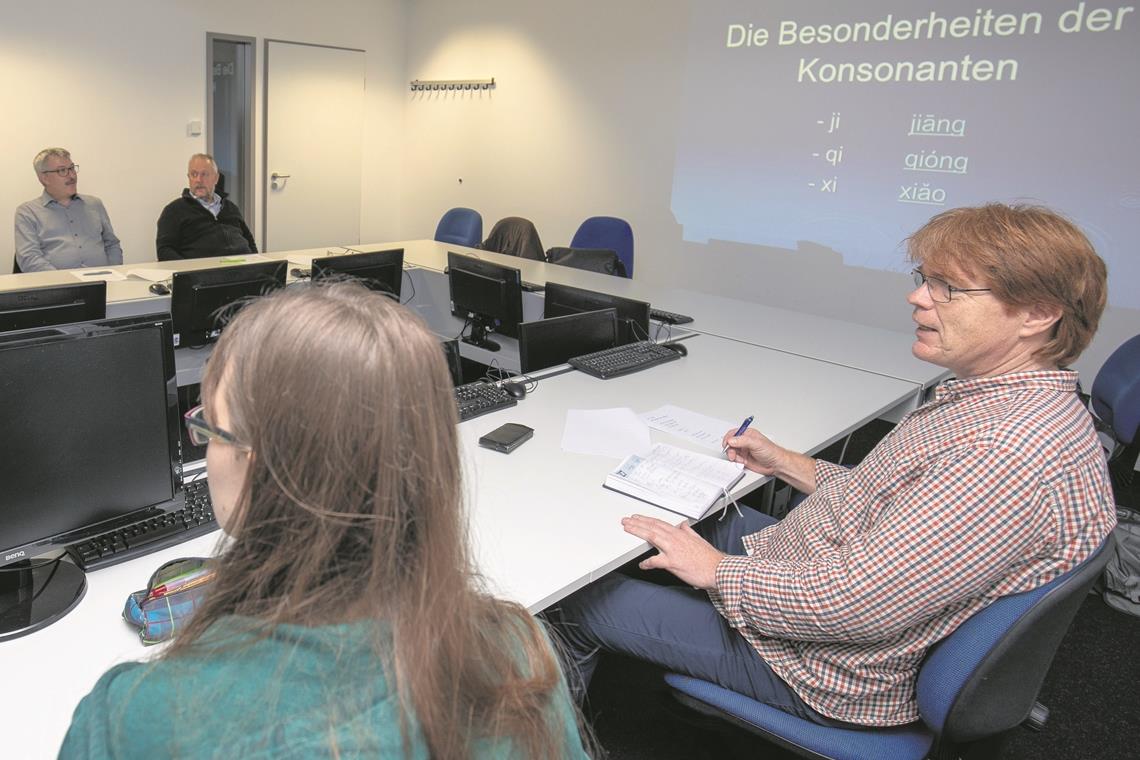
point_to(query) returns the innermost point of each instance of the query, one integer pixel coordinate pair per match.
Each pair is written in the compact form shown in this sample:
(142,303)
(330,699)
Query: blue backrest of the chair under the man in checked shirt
(984,679)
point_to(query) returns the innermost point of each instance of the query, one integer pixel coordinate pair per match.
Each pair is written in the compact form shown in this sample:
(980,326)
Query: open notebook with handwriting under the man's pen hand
(679,480)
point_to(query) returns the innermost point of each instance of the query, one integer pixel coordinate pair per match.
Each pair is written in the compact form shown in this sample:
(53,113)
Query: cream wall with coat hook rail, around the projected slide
(584,122)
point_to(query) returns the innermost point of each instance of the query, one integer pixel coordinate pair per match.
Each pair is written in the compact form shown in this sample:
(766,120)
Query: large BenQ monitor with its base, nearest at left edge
(94,444)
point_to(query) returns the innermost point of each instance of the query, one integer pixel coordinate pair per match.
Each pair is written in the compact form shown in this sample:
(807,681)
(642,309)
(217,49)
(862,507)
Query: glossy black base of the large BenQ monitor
(37,593)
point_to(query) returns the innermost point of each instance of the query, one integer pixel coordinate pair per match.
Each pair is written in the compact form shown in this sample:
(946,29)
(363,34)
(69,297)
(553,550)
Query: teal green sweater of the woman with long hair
(300,693)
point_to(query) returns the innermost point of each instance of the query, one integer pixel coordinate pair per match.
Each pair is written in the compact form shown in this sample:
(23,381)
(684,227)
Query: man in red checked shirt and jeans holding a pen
(996,487)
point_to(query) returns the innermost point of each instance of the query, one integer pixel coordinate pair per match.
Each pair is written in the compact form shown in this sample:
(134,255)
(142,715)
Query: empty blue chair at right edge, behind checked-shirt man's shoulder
(1115,402)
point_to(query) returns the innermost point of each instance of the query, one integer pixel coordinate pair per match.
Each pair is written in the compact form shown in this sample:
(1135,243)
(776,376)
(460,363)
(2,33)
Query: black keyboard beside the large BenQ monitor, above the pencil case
(152,533)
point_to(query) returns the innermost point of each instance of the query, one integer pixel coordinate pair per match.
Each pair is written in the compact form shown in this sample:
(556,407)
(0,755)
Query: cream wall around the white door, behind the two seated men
(117,83)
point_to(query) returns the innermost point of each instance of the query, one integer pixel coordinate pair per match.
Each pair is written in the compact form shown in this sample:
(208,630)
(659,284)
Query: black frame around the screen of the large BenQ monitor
(88,331)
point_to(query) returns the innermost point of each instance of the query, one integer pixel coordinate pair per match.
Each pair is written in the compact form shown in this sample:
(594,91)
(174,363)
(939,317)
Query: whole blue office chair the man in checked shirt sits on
(976,684)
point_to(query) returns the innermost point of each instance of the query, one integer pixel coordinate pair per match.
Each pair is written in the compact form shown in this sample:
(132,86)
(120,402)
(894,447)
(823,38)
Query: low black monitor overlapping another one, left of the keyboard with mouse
(549,342)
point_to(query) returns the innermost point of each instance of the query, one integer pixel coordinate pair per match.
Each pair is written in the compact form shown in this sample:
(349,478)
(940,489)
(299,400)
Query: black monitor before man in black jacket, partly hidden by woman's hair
(205,300)
